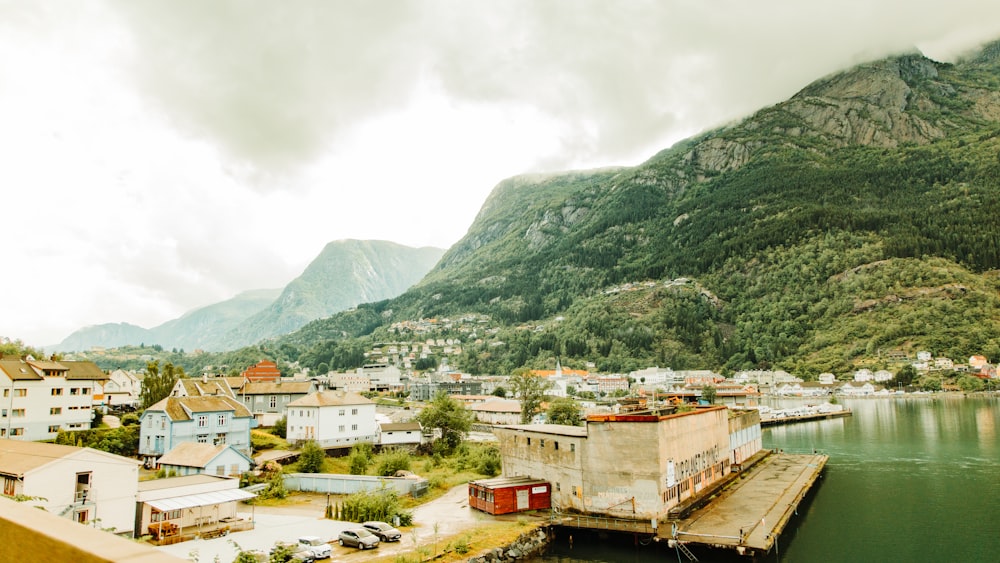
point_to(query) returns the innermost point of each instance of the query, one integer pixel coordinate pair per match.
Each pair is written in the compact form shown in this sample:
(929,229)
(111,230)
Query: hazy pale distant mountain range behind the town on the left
(345,273)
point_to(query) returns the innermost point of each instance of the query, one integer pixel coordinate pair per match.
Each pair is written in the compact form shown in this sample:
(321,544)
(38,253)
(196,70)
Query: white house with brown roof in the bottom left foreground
(82,484)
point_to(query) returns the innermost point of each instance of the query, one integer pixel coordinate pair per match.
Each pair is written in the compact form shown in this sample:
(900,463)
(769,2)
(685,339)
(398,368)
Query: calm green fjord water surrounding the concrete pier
(909,479)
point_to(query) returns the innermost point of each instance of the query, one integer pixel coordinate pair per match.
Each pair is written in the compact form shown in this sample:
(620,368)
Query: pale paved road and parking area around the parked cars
(450,513)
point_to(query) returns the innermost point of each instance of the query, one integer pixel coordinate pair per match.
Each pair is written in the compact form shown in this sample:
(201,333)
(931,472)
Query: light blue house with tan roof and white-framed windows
(207,420)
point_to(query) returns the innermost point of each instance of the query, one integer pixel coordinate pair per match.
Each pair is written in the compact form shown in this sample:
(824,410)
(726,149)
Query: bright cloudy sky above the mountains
(160,156)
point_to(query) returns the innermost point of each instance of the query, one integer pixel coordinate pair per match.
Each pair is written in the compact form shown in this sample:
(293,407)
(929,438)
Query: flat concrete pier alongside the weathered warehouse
(751,513)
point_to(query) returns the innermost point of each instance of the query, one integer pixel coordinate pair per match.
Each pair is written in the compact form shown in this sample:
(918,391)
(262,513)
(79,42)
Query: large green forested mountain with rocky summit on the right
(856,218)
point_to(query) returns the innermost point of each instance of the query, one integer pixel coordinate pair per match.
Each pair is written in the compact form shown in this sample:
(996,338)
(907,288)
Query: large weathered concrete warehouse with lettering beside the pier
(633,465)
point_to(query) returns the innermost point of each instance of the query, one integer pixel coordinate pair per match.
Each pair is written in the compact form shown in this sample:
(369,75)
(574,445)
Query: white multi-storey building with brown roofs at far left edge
(41,397)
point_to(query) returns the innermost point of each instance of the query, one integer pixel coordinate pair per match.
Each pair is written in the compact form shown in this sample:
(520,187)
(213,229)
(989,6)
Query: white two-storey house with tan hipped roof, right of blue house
(331,418)
